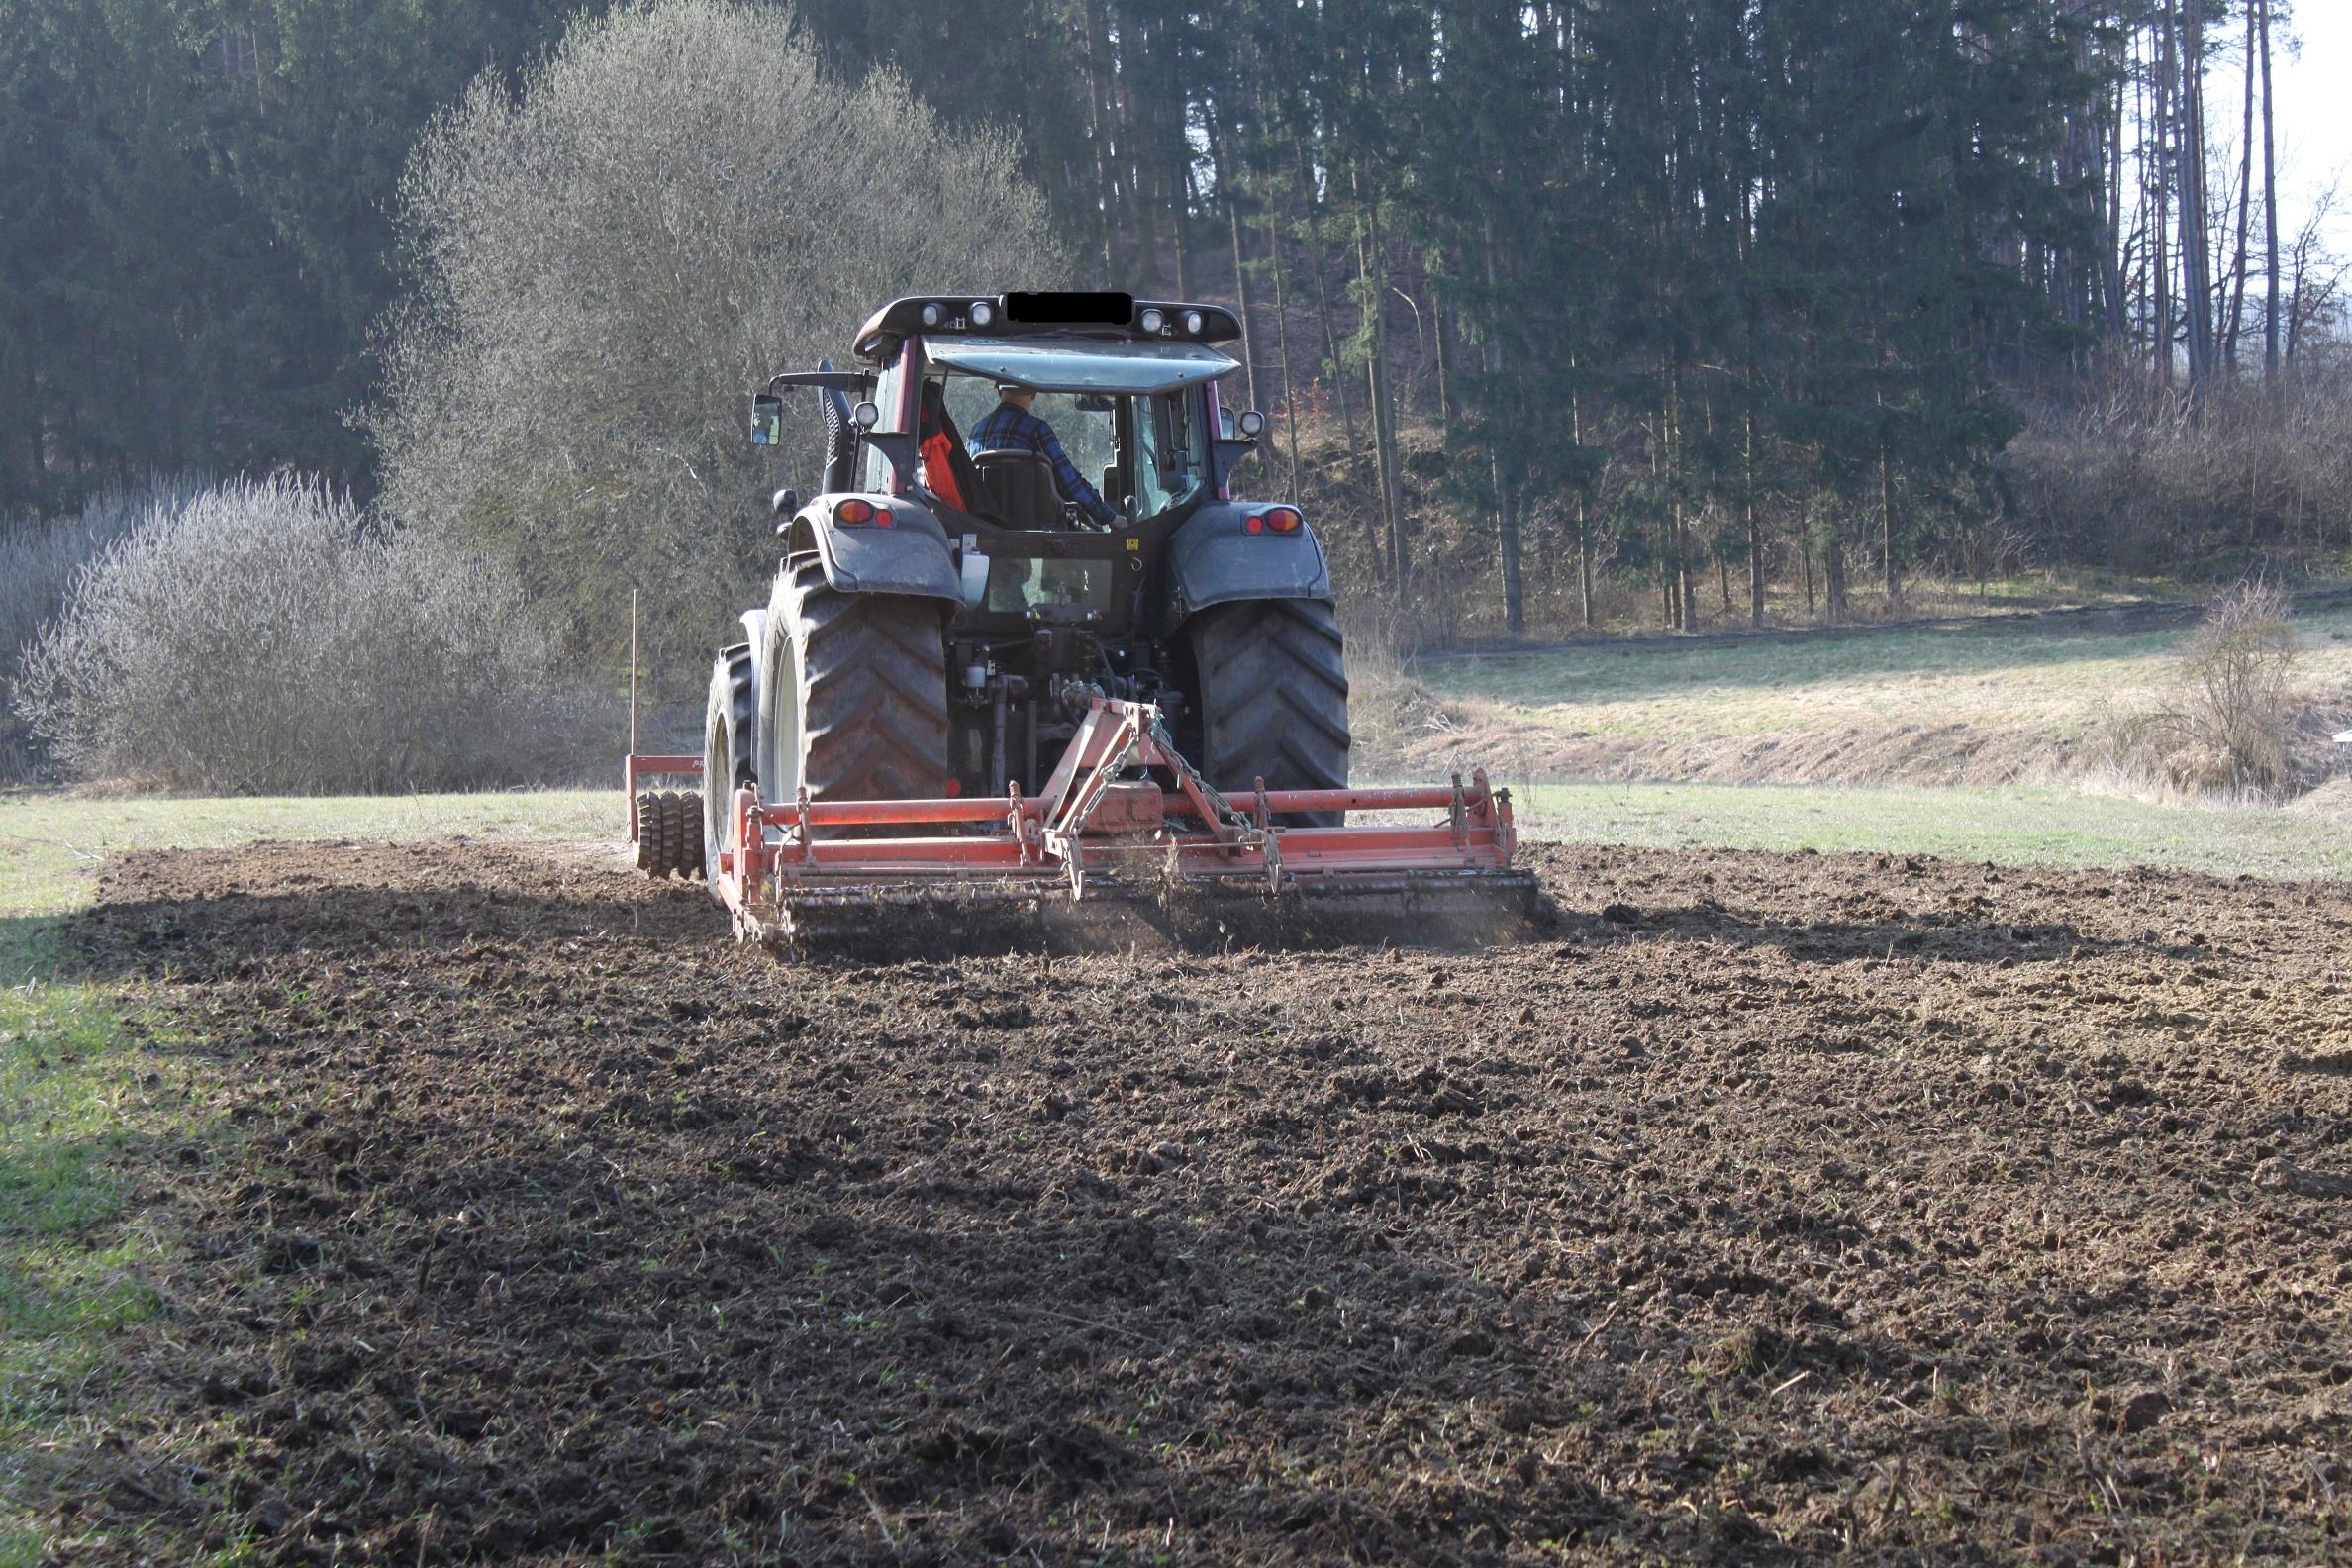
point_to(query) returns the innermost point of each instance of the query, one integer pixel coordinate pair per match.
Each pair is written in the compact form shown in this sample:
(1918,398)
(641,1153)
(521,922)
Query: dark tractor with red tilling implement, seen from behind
(973,685)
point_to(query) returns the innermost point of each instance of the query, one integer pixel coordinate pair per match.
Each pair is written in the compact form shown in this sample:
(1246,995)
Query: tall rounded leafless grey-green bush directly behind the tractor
(676,206)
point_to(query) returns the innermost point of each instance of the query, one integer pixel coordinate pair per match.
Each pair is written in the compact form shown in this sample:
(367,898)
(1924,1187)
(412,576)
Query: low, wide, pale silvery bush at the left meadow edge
(260,638)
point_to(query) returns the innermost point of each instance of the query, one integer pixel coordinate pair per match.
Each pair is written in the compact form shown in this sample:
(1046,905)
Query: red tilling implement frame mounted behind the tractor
(1095,833)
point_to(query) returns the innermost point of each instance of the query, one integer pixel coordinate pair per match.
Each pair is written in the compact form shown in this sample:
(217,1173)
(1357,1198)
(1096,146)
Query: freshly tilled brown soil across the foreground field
(1772,1207)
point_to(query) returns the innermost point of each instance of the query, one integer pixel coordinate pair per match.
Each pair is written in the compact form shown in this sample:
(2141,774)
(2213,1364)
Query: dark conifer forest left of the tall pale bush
(194,234)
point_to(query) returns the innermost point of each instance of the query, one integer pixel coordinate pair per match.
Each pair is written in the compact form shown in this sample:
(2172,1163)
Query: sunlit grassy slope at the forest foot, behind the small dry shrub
(1991,676)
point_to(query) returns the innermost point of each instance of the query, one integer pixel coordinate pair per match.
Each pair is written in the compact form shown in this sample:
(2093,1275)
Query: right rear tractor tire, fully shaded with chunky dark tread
(1271,699)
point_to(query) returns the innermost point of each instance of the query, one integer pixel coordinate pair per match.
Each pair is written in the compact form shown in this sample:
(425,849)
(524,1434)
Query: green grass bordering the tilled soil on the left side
(81,1099)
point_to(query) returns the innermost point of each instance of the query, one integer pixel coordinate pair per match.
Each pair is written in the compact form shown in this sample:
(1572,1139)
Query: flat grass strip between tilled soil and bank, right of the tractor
(2062,829)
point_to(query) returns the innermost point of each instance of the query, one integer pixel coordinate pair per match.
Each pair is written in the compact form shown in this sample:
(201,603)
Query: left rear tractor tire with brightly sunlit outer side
(855,692)
